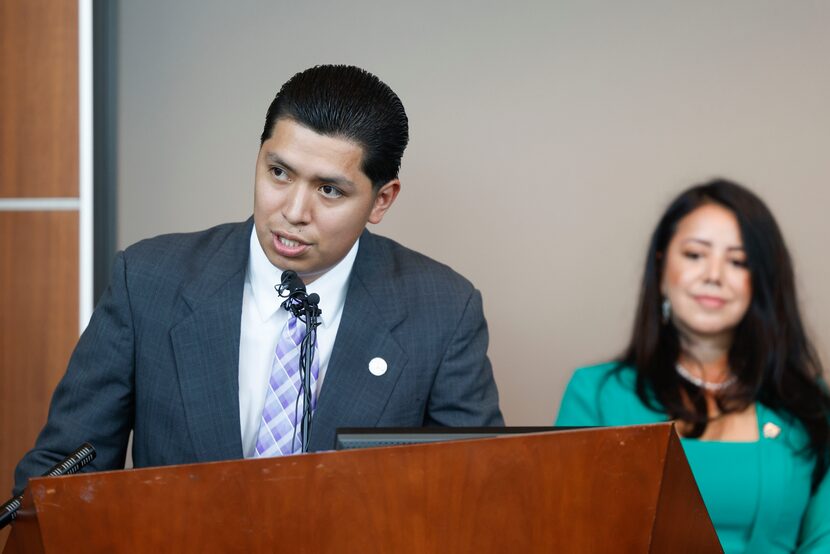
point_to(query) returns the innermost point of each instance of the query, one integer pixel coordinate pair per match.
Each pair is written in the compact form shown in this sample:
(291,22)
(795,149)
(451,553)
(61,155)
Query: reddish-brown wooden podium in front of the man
(624,489)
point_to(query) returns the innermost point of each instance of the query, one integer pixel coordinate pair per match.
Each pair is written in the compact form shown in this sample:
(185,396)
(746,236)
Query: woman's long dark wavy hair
(771,355)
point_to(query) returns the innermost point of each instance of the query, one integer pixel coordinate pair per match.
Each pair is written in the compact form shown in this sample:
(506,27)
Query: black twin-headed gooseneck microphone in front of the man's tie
(304,307)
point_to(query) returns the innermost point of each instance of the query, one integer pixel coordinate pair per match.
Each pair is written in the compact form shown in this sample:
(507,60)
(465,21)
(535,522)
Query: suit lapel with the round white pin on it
(351,395)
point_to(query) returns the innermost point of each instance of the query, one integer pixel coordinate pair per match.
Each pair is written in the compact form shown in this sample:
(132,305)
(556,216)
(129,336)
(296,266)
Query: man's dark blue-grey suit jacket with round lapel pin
(161,354)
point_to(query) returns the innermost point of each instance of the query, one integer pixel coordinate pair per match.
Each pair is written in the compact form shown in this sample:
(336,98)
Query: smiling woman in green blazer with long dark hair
(719,347)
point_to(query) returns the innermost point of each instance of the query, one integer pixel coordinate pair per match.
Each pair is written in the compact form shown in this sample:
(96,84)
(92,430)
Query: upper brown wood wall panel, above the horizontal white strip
(38,98)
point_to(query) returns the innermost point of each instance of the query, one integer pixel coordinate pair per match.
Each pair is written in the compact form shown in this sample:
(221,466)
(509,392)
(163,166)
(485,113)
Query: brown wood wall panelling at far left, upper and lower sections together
(39,158)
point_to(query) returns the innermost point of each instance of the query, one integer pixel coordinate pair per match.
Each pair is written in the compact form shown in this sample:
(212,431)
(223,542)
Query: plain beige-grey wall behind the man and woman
(546,138)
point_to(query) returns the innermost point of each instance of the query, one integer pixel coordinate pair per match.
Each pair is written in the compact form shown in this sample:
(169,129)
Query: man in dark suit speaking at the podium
(180,349)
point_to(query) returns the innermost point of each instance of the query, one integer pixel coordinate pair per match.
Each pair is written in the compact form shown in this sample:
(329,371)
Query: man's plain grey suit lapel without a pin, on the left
(206,348)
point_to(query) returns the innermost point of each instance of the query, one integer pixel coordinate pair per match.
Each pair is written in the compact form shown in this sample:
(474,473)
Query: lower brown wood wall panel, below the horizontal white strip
(38,323)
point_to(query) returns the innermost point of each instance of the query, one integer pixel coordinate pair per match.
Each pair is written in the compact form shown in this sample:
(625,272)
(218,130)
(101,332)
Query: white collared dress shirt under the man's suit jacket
(263,319)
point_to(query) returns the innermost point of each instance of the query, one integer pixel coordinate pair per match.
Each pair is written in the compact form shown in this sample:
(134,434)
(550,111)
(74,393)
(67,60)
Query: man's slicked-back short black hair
(348,102)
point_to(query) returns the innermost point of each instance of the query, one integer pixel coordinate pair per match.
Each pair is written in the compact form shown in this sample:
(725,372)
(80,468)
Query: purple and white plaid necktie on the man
(283,399)
